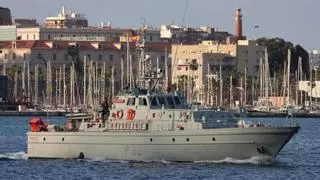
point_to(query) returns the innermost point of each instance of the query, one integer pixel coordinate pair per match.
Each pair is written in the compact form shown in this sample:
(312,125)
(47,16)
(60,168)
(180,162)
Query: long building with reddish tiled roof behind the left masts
(14,53)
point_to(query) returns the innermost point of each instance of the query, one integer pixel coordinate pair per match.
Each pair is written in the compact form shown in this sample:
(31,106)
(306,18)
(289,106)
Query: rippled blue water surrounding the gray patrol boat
(300,159)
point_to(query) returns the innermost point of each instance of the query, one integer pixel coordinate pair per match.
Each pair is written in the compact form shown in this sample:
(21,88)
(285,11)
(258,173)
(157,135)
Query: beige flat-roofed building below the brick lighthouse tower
(210,55)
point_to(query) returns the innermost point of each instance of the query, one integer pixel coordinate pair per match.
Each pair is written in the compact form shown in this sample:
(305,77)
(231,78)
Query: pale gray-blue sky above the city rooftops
(293,20)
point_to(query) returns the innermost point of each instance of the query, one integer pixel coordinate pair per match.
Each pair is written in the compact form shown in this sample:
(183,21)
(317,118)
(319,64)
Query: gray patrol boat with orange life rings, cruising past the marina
(144,126)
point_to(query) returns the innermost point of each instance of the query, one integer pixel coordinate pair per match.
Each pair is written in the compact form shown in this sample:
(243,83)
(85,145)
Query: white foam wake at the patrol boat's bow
(252,160)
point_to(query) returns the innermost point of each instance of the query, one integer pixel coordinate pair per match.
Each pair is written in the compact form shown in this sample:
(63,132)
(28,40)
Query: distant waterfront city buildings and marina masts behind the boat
(49,64)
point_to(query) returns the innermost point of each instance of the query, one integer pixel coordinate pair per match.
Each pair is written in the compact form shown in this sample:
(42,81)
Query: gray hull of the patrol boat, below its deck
(210,144)
